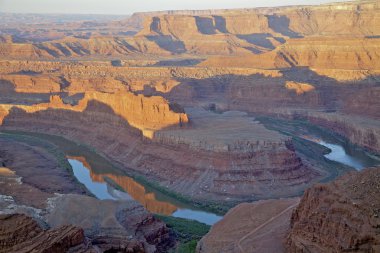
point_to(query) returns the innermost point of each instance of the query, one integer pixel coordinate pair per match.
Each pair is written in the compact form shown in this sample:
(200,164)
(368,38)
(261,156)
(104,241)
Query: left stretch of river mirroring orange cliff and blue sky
(105,181)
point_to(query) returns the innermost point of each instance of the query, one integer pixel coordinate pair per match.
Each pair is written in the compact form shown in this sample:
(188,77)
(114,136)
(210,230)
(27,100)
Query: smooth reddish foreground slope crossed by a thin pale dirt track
(254,227)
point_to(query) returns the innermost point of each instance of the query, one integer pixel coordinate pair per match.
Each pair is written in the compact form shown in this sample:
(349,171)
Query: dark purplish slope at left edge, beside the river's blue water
(36,173)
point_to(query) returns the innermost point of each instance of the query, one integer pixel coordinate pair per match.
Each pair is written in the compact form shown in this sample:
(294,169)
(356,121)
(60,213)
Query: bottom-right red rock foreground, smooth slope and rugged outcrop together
(341,216)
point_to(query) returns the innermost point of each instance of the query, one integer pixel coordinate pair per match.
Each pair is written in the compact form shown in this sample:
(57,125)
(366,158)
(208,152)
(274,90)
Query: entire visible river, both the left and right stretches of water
(106,181)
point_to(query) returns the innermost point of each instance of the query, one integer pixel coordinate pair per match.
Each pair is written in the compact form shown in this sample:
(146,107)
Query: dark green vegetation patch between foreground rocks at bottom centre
(188,232)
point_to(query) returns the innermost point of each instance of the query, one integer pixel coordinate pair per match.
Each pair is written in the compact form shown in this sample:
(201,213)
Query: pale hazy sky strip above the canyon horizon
(131,6)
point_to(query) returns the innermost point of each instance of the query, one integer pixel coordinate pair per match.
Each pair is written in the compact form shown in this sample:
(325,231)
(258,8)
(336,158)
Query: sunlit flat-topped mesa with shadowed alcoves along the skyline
(350,18)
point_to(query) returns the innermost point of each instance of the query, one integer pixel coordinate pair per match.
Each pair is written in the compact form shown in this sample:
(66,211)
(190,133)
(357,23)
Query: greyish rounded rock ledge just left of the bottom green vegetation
(111,225)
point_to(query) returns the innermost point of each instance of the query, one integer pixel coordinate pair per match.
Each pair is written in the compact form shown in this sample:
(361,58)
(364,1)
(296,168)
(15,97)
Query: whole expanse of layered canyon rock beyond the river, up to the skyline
(125,95)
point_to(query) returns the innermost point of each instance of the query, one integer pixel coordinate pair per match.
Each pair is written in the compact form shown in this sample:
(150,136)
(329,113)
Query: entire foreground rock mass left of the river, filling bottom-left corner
(39,198)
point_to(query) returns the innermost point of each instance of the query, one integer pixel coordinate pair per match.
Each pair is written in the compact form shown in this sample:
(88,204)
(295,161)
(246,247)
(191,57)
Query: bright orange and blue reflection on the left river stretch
(99,184)
